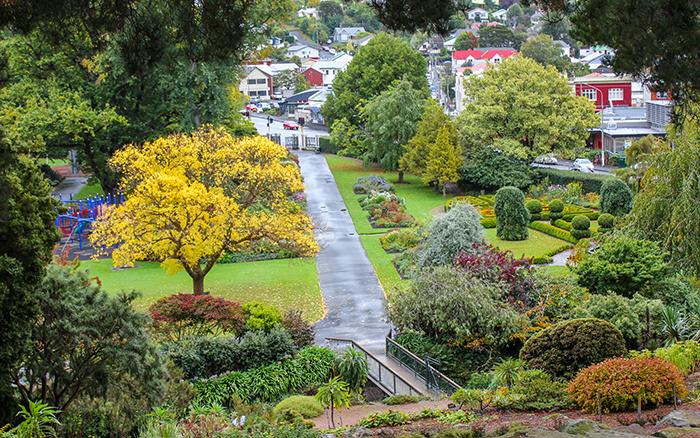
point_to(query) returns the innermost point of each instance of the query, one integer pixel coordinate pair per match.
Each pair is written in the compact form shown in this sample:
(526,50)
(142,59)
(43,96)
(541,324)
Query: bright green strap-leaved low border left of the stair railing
(312,366)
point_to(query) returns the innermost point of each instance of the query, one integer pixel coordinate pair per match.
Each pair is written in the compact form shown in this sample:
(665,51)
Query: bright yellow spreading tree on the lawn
(191,197)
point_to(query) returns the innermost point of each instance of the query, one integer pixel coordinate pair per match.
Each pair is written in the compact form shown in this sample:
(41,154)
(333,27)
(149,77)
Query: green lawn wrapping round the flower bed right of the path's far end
(420,198)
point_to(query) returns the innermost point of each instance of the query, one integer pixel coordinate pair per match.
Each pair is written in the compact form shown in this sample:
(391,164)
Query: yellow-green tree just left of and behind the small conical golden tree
(415,158)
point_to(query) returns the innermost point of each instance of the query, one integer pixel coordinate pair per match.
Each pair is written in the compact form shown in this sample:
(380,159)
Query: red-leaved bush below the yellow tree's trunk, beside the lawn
(180,315)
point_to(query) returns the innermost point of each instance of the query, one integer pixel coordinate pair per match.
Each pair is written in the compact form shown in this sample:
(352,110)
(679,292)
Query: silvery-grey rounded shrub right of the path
(450,234)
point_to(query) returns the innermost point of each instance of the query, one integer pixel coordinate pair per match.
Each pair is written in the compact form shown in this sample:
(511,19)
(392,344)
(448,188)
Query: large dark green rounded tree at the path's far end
(382,61)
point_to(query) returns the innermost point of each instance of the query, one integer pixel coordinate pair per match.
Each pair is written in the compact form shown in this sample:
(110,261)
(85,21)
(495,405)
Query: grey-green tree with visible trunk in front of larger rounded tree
(391,121)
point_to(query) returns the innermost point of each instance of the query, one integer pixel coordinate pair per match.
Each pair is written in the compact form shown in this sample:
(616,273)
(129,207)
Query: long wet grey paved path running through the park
(354,299)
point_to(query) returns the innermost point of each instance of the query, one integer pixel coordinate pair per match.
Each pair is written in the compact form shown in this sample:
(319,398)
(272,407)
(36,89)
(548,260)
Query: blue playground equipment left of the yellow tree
(81,214)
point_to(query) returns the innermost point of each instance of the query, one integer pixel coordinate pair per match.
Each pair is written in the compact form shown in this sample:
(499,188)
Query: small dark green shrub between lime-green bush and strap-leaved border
(259,348)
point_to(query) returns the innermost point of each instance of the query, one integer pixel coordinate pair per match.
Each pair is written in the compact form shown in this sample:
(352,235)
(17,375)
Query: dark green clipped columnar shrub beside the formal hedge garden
(511,215)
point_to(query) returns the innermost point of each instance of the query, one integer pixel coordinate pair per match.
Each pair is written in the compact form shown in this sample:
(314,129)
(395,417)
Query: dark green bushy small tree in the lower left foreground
(84,341)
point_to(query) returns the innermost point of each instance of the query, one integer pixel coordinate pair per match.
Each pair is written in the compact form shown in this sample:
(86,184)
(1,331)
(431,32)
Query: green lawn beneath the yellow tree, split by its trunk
(287,284)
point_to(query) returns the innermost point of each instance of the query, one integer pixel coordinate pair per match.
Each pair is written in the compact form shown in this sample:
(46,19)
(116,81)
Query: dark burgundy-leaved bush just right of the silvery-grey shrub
(488,263)
